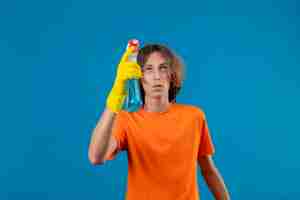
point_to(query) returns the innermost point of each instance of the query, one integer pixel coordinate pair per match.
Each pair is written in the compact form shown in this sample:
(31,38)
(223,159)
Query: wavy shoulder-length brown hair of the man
(177,67)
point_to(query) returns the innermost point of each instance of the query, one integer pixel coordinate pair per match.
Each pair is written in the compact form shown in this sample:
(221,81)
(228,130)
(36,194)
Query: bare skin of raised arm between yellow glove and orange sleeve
(102,141)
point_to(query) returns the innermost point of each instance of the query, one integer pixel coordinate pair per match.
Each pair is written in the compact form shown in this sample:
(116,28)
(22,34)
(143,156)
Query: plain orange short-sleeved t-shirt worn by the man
(162,149)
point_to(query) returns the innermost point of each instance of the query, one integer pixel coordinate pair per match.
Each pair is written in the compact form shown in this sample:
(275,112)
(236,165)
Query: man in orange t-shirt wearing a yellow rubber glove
(164,140)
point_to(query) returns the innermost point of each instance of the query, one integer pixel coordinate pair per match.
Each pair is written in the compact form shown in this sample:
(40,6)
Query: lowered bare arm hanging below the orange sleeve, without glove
(213,178)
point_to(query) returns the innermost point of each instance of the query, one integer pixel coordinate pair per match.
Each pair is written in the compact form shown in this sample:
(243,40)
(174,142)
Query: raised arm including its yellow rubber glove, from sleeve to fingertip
(102,143)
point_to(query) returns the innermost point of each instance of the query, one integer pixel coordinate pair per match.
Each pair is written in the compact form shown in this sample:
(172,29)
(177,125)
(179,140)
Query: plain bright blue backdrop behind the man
(58,59)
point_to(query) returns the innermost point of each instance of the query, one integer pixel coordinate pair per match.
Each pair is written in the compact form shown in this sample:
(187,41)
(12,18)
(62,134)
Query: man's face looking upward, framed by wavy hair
(156,76)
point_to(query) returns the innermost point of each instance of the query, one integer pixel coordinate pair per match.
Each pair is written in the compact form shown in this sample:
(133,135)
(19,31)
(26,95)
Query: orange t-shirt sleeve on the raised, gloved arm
(119,134)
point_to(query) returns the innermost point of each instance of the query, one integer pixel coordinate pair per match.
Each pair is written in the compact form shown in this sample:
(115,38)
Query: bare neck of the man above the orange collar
(156,104)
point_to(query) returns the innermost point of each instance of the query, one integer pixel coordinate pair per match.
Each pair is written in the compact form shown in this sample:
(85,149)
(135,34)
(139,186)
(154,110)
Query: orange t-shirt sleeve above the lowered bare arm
(206,146)
